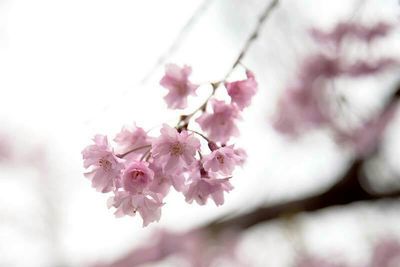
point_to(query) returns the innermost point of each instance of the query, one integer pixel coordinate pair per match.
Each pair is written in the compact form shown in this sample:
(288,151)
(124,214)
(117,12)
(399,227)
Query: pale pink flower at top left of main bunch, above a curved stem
(132,138)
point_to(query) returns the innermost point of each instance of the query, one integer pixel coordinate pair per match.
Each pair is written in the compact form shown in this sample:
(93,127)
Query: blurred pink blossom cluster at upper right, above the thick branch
(305,104)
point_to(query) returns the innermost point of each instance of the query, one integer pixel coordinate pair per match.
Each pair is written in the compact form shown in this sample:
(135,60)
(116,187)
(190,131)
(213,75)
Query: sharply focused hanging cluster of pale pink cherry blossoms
(140,169)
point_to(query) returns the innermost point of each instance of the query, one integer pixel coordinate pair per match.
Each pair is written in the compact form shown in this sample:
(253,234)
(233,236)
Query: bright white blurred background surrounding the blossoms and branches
(71,69)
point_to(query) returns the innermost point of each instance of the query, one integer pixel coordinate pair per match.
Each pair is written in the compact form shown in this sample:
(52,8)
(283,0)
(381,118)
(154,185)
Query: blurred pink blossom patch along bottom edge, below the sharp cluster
(195,247)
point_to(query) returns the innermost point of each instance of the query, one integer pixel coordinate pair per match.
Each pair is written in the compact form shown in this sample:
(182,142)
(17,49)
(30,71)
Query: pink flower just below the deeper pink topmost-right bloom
(221,124)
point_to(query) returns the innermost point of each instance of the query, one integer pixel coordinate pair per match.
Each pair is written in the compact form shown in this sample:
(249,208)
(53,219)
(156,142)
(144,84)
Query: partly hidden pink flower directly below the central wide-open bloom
(162,181)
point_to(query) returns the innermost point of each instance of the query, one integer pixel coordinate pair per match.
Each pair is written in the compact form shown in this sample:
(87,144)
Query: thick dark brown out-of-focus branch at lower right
(349,188)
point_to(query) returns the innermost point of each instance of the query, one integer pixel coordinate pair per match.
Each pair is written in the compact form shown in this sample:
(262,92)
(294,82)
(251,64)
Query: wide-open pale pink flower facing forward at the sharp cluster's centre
(175,150)
